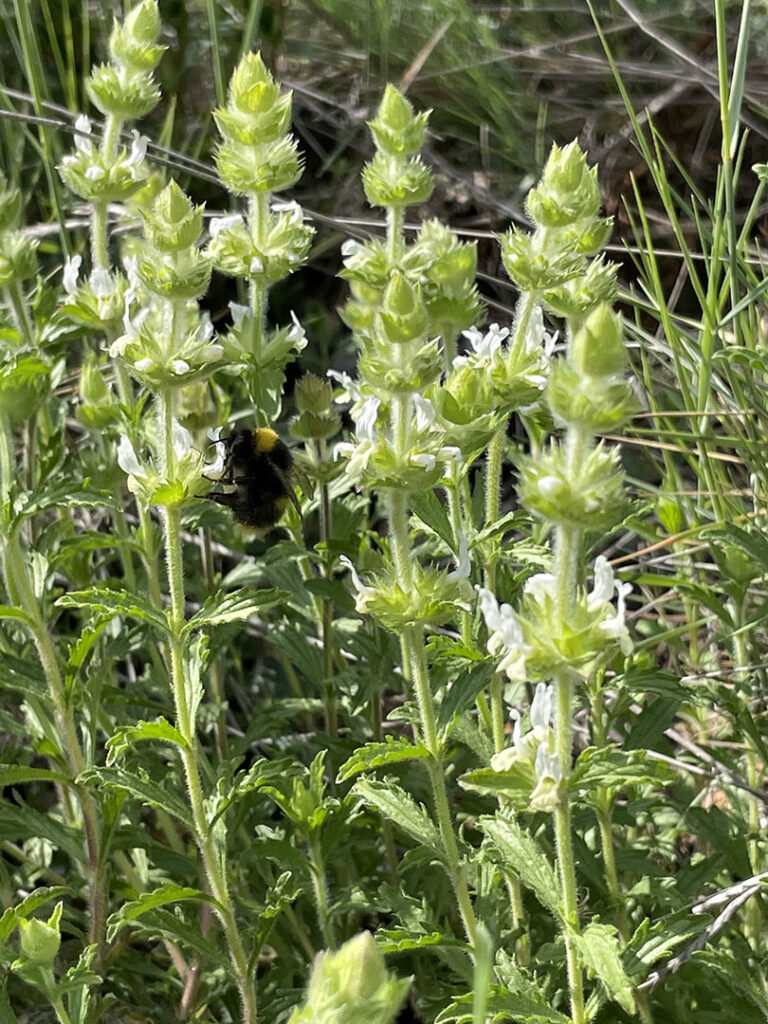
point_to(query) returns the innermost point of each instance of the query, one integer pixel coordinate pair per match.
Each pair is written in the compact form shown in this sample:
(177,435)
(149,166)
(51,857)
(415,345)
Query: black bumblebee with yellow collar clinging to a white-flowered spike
(259,465)
